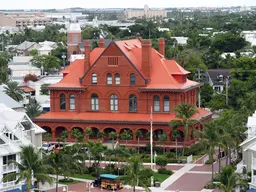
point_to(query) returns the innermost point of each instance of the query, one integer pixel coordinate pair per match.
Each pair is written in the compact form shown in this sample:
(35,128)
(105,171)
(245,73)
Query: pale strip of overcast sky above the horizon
(60,4)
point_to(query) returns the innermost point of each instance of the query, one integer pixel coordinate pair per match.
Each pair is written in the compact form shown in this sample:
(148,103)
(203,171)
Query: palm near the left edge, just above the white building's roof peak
(14,91)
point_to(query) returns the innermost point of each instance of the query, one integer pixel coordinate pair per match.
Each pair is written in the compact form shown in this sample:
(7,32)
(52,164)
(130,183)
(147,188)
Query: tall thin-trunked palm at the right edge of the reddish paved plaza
(209,138)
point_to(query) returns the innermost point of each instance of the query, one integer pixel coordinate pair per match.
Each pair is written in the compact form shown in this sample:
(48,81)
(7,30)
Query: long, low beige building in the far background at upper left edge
(23,19)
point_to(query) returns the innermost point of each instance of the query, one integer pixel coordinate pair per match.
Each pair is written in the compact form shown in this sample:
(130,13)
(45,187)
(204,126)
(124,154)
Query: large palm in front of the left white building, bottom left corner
(29,166)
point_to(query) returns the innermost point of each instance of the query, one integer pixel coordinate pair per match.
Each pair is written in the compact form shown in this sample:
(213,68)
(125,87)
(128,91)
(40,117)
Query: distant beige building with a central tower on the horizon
(145,13)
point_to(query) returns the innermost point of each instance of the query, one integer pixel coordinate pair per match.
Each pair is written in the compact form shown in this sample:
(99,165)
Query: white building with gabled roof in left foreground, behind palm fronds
(16,130)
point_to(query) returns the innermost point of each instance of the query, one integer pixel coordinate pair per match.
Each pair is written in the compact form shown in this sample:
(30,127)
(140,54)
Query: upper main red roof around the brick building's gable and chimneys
(161,76)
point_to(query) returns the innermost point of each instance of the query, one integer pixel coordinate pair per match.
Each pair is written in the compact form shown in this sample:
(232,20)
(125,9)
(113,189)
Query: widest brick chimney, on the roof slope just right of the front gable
(146,56)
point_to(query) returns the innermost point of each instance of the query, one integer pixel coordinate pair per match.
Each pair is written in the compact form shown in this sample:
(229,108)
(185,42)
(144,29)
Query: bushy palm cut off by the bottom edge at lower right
(228,180)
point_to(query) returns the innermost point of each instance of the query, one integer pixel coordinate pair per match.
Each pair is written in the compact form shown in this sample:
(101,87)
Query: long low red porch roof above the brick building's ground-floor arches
(130,117)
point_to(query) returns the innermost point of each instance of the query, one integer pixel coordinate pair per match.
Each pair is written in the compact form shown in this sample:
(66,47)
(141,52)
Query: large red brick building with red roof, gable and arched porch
(113,89)
